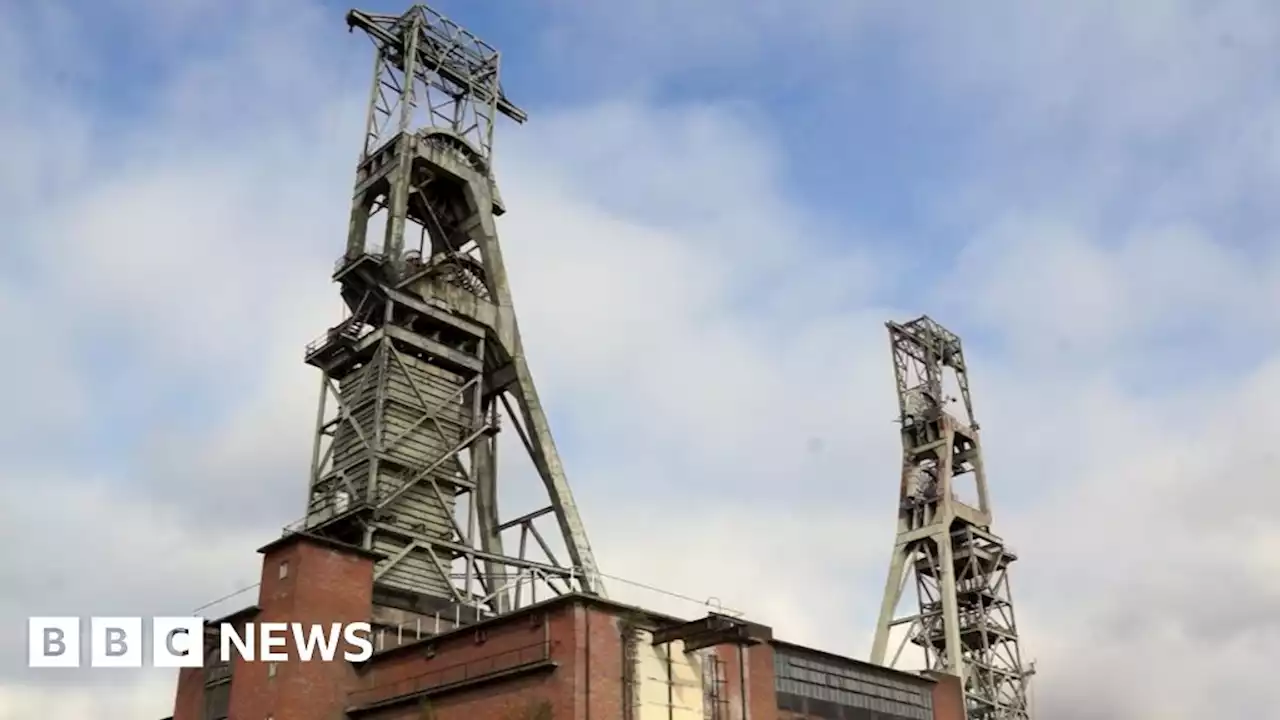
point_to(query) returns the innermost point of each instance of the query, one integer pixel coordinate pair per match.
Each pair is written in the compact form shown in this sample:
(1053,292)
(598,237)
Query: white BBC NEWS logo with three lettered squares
(180,642)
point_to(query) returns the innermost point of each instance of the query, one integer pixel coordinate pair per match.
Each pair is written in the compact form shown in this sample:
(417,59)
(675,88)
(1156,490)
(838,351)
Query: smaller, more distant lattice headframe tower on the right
(964,616)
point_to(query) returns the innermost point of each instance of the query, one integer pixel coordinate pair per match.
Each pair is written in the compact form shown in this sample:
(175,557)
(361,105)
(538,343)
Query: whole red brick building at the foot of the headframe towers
(573,658)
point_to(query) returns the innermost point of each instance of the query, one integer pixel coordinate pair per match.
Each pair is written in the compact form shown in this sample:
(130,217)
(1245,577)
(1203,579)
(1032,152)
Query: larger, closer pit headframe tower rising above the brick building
(429,358)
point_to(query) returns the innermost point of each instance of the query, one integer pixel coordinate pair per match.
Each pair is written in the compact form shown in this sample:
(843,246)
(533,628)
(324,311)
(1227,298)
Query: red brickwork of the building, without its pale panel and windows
(560,662)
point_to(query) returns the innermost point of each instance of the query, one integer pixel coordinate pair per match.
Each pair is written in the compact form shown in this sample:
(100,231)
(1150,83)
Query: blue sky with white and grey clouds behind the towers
(715,207)
